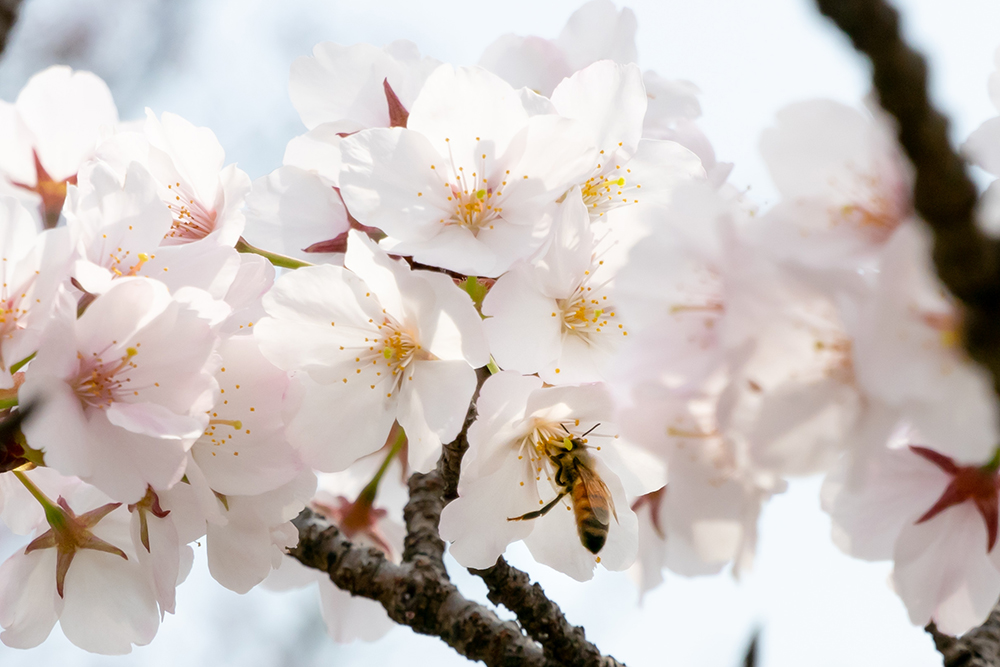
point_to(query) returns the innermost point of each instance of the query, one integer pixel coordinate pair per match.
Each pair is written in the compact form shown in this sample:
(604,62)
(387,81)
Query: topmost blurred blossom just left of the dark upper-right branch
(846,185)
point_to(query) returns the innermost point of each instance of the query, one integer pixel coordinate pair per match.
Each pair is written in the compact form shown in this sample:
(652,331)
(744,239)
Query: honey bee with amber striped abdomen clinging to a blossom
(593,505)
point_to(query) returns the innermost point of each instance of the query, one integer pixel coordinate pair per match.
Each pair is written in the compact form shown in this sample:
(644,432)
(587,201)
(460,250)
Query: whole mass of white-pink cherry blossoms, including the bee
(661,354)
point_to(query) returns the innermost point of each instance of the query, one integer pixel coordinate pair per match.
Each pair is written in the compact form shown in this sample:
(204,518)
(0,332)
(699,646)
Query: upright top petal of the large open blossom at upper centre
(458,105)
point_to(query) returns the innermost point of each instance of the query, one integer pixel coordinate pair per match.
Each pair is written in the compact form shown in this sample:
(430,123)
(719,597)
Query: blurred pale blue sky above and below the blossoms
(224,64)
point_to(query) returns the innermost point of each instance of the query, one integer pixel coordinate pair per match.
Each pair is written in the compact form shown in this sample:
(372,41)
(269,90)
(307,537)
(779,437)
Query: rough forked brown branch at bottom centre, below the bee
(418,592)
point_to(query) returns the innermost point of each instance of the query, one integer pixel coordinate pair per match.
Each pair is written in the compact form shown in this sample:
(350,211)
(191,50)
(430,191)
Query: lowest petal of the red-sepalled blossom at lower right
(942,571)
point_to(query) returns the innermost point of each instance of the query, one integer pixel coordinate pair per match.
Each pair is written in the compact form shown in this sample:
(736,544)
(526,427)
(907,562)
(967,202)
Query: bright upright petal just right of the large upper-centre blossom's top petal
(610,100)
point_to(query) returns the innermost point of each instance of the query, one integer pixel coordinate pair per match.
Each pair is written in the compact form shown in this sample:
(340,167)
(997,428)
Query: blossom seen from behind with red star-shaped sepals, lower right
(936,519)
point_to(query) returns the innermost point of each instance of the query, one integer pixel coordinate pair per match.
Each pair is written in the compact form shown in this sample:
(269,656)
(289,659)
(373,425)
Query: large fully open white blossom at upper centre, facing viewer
(466,184)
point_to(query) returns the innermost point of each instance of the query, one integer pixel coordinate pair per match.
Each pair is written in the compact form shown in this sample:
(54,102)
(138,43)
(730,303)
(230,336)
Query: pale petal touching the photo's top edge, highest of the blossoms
(598,31)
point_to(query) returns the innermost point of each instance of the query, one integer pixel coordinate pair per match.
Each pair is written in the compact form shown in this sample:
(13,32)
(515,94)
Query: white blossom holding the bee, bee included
(512,469)
